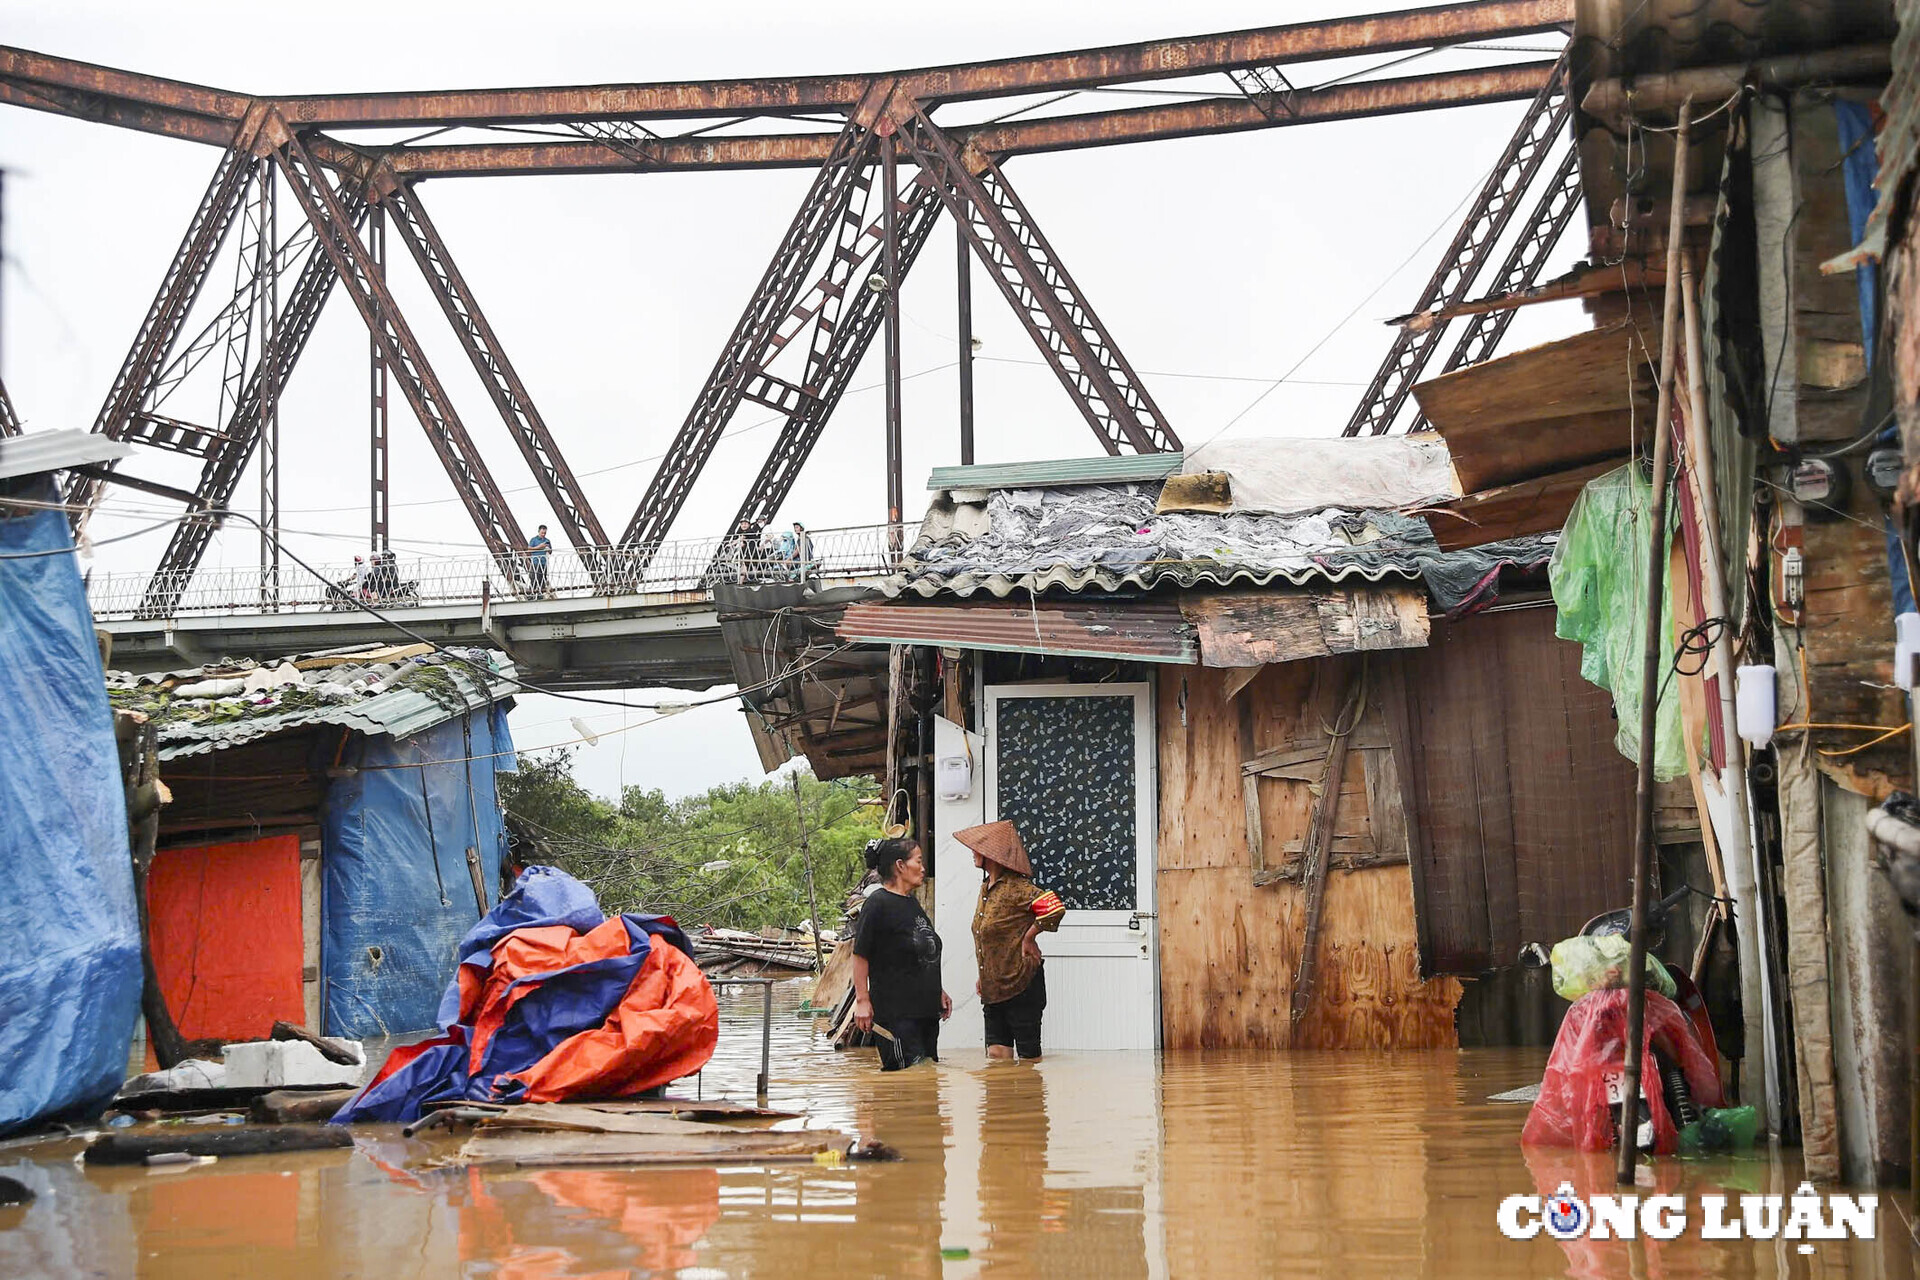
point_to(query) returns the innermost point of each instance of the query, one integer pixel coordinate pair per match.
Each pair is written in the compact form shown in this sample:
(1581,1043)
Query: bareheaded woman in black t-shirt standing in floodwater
(898,960)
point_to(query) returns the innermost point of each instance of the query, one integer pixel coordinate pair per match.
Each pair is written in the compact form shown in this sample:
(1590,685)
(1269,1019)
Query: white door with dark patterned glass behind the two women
(1072,767)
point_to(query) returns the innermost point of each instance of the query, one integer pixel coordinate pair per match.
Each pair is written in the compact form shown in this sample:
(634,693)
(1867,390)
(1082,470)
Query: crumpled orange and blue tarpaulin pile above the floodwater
(554,1001)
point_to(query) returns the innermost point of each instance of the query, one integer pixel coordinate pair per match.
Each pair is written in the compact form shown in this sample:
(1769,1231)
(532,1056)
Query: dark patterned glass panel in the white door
(1067,778)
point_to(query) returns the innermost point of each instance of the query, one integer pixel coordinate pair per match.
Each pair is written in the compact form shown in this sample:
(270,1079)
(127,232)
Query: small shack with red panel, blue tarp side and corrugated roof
(333,834)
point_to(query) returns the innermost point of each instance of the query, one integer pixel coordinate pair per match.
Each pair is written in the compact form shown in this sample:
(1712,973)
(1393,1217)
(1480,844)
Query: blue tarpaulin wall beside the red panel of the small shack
(398,891)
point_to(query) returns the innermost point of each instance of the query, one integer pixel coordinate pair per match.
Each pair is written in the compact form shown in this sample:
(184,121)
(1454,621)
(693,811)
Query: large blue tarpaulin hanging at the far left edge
(70,987)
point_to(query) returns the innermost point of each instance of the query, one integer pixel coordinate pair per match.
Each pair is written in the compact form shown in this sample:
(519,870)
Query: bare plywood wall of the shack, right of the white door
(1228,951)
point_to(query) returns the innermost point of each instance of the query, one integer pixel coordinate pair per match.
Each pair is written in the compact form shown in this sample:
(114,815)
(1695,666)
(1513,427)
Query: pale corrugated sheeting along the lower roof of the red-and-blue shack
(414,707)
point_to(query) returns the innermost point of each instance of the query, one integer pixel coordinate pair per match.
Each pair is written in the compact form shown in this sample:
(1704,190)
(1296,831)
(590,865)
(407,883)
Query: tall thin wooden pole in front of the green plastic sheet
(1654,661)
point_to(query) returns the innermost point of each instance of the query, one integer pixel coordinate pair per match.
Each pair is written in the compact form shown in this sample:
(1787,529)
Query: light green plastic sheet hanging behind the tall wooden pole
(1600,590)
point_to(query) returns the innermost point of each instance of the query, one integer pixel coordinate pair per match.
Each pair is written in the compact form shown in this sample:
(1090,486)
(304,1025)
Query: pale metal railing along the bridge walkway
(675,567)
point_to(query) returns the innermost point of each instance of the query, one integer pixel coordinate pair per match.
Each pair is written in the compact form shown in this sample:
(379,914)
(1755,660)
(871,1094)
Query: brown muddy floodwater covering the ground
(1078,1166)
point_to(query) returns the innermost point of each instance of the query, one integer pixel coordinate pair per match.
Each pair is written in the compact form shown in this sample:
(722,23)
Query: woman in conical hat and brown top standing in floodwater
(1007,928)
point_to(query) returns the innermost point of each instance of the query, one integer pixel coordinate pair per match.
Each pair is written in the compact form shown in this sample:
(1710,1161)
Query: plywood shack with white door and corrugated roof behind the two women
(1199,684)
